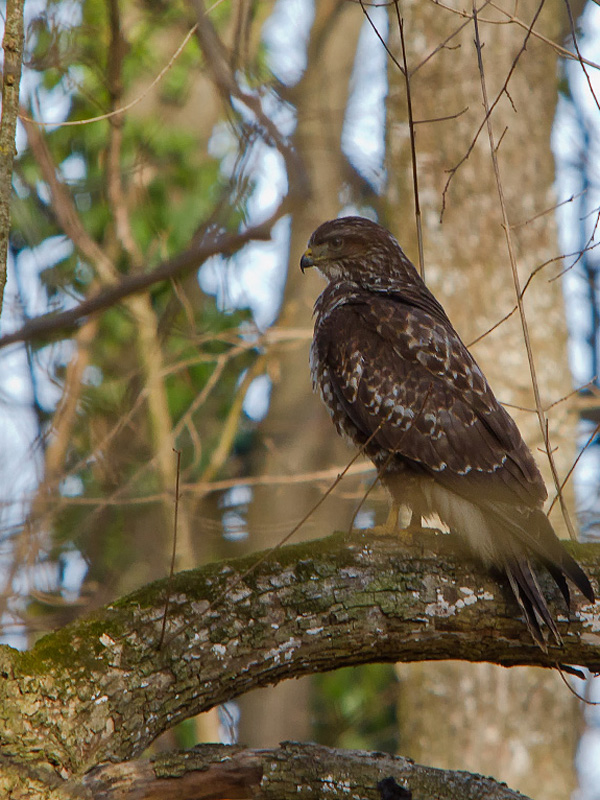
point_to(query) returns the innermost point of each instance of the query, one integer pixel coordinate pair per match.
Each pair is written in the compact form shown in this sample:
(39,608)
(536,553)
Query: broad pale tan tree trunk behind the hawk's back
(520,727)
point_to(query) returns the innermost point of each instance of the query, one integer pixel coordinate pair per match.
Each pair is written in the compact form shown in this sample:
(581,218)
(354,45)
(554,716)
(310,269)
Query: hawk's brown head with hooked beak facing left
(358,250)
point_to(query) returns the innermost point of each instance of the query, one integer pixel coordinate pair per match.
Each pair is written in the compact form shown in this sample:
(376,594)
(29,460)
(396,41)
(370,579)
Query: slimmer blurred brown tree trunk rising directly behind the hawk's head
(297,433)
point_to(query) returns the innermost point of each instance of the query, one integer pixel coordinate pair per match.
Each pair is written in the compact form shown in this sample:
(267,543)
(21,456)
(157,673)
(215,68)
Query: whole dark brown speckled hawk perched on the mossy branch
(400,384)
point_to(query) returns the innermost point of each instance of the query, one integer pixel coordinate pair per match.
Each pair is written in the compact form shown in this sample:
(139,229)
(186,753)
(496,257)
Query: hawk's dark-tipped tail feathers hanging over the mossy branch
(518,536)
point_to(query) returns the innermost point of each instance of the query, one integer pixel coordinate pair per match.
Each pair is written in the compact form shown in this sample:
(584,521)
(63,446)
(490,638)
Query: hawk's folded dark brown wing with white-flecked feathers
(402,375)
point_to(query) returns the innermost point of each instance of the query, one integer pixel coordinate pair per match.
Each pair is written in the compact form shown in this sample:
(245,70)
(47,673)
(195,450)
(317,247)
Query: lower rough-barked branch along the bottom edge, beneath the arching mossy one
(290,771)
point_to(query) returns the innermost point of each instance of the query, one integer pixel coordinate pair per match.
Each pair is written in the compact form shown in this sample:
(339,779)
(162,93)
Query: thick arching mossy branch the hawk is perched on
(100,690)
